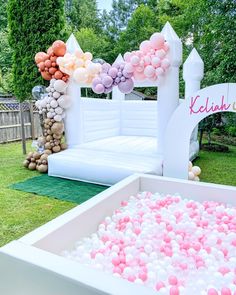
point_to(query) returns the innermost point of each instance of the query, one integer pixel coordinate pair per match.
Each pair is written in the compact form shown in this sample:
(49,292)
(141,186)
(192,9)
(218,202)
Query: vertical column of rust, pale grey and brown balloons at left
(51,106)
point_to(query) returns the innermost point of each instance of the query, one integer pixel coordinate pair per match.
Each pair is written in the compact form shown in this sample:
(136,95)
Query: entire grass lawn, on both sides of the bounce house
(22,212)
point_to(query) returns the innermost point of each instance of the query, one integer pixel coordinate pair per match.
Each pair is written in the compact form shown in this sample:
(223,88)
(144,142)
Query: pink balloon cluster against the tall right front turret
(150,61)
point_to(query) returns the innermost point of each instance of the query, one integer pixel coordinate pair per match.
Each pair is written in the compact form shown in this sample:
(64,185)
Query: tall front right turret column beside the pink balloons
(168,92)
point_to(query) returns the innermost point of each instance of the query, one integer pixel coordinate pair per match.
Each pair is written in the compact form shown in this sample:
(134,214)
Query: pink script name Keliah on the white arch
(208,106)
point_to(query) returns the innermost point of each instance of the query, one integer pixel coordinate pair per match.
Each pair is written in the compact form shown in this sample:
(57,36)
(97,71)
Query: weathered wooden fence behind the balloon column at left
(10,121)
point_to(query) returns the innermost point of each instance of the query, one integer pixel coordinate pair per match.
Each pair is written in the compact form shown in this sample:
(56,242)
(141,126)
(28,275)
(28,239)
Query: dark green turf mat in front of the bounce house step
(59,188)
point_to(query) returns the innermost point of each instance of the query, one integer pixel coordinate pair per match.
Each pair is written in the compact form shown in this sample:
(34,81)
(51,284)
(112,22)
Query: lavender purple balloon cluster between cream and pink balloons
(119,74)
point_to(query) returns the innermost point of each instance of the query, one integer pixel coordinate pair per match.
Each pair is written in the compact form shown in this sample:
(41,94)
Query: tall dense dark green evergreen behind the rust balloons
(33,27)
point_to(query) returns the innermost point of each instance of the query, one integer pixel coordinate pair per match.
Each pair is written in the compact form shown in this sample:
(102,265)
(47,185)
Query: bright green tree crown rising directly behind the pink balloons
(140,27)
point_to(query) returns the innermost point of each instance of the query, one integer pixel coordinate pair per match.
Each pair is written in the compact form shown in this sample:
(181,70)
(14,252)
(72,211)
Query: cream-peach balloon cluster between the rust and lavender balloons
(80,66)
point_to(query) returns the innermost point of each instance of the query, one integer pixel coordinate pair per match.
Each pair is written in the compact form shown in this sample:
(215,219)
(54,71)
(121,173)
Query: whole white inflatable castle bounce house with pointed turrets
(109,140)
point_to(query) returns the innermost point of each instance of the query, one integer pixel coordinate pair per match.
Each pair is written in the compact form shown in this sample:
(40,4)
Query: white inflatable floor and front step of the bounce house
(109,160)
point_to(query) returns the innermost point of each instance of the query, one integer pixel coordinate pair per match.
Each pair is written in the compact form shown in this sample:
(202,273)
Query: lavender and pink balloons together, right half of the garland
(149,62)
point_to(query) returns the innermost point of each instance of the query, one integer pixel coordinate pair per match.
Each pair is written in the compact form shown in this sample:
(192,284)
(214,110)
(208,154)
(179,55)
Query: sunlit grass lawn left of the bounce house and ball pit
(21,212)
